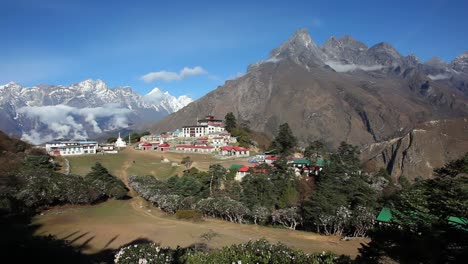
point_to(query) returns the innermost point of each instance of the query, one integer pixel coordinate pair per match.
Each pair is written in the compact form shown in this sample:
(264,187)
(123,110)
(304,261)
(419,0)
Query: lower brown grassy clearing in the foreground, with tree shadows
(115,223)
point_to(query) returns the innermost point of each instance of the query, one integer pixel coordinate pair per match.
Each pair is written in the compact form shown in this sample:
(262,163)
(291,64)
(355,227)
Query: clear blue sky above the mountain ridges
(64,42)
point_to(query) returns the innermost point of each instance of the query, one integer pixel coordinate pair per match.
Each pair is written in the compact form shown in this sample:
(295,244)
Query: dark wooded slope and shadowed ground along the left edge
(29,183)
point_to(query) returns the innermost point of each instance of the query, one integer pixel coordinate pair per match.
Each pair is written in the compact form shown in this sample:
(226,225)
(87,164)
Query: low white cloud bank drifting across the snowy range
(64,121)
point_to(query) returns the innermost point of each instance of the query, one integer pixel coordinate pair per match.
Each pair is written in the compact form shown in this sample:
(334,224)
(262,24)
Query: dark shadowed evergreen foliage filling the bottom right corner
(420,231)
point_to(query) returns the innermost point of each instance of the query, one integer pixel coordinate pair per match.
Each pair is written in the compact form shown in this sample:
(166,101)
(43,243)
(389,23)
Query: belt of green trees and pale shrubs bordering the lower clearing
(342,201)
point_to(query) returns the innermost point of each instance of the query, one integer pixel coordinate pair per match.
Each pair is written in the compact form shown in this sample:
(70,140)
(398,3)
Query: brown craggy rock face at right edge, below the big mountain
(418,153)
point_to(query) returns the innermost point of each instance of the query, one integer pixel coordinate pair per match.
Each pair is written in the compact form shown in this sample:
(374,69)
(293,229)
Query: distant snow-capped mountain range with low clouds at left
(78,111)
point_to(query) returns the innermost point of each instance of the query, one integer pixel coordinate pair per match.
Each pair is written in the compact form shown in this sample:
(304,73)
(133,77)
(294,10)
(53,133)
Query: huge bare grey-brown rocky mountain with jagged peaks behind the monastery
(379,95)
